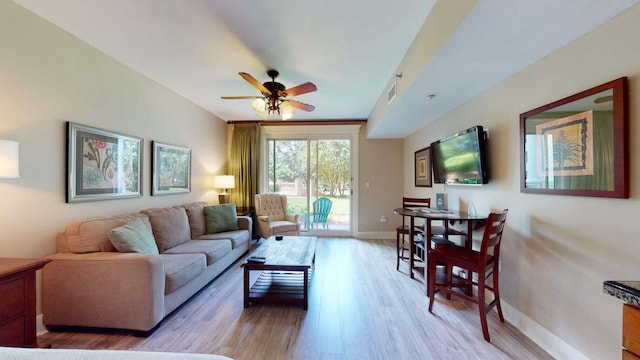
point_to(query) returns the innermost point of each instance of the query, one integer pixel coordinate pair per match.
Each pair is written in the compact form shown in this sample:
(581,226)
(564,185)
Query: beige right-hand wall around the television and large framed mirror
(558,249)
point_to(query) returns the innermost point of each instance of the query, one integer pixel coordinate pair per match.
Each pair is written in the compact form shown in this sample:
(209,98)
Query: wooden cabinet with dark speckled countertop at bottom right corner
(629,292)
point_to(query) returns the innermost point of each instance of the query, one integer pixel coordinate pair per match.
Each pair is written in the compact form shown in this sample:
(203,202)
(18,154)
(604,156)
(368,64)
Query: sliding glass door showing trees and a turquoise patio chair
(316,175)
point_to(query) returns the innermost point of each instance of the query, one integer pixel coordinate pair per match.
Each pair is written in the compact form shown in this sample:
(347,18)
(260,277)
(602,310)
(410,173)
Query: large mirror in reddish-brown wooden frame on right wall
(578,145)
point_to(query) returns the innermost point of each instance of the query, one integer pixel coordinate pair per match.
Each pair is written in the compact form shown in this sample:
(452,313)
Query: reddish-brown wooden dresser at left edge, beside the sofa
(18,301)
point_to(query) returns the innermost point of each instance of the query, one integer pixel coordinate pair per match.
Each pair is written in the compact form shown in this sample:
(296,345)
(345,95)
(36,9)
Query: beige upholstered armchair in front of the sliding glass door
(273,219)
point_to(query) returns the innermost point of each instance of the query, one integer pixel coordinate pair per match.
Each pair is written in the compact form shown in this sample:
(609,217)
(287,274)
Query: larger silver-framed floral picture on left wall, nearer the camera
(101,164)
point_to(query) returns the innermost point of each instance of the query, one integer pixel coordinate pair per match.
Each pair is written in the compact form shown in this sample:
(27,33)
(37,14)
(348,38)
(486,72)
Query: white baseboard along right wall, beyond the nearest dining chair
(551,343)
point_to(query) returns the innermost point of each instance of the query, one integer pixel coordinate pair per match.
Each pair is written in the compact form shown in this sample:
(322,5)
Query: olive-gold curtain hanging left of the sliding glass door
(244,162)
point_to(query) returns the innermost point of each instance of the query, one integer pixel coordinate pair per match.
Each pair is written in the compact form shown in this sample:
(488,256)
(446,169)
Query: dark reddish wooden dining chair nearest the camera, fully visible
(484,262)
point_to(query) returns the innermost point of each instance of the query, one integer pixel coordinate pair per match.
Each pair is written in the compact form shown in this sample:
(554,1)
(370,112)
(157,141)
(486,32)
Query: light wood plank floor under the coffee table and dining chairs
(360,308)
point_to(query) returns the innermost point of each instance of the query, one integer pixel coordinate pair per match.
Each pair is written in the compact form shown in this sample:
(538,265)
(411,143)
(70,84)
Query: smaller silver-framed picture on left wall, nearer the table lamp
(171,169)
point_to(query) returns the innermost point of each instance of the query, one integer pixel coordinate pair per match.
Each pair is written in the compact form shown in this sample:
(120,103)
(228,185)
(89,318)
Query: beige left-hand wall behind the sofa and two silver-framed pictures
(49,77)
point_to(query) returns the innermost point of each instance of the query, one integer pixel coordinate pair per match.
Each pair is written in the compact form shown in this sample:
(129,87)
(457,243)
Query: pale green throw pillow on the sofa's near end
(133,236)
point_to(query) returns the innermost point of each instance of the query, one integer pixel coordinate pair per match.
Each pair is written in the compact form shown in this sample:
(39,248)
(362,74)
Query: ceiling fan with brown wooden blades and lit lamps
(275,97)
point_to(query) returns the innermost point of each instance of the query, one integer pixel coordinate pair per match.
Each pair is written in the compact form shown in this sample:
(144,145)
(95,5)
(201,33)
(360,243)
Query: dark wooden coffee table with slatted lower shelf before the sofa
(286,272)
